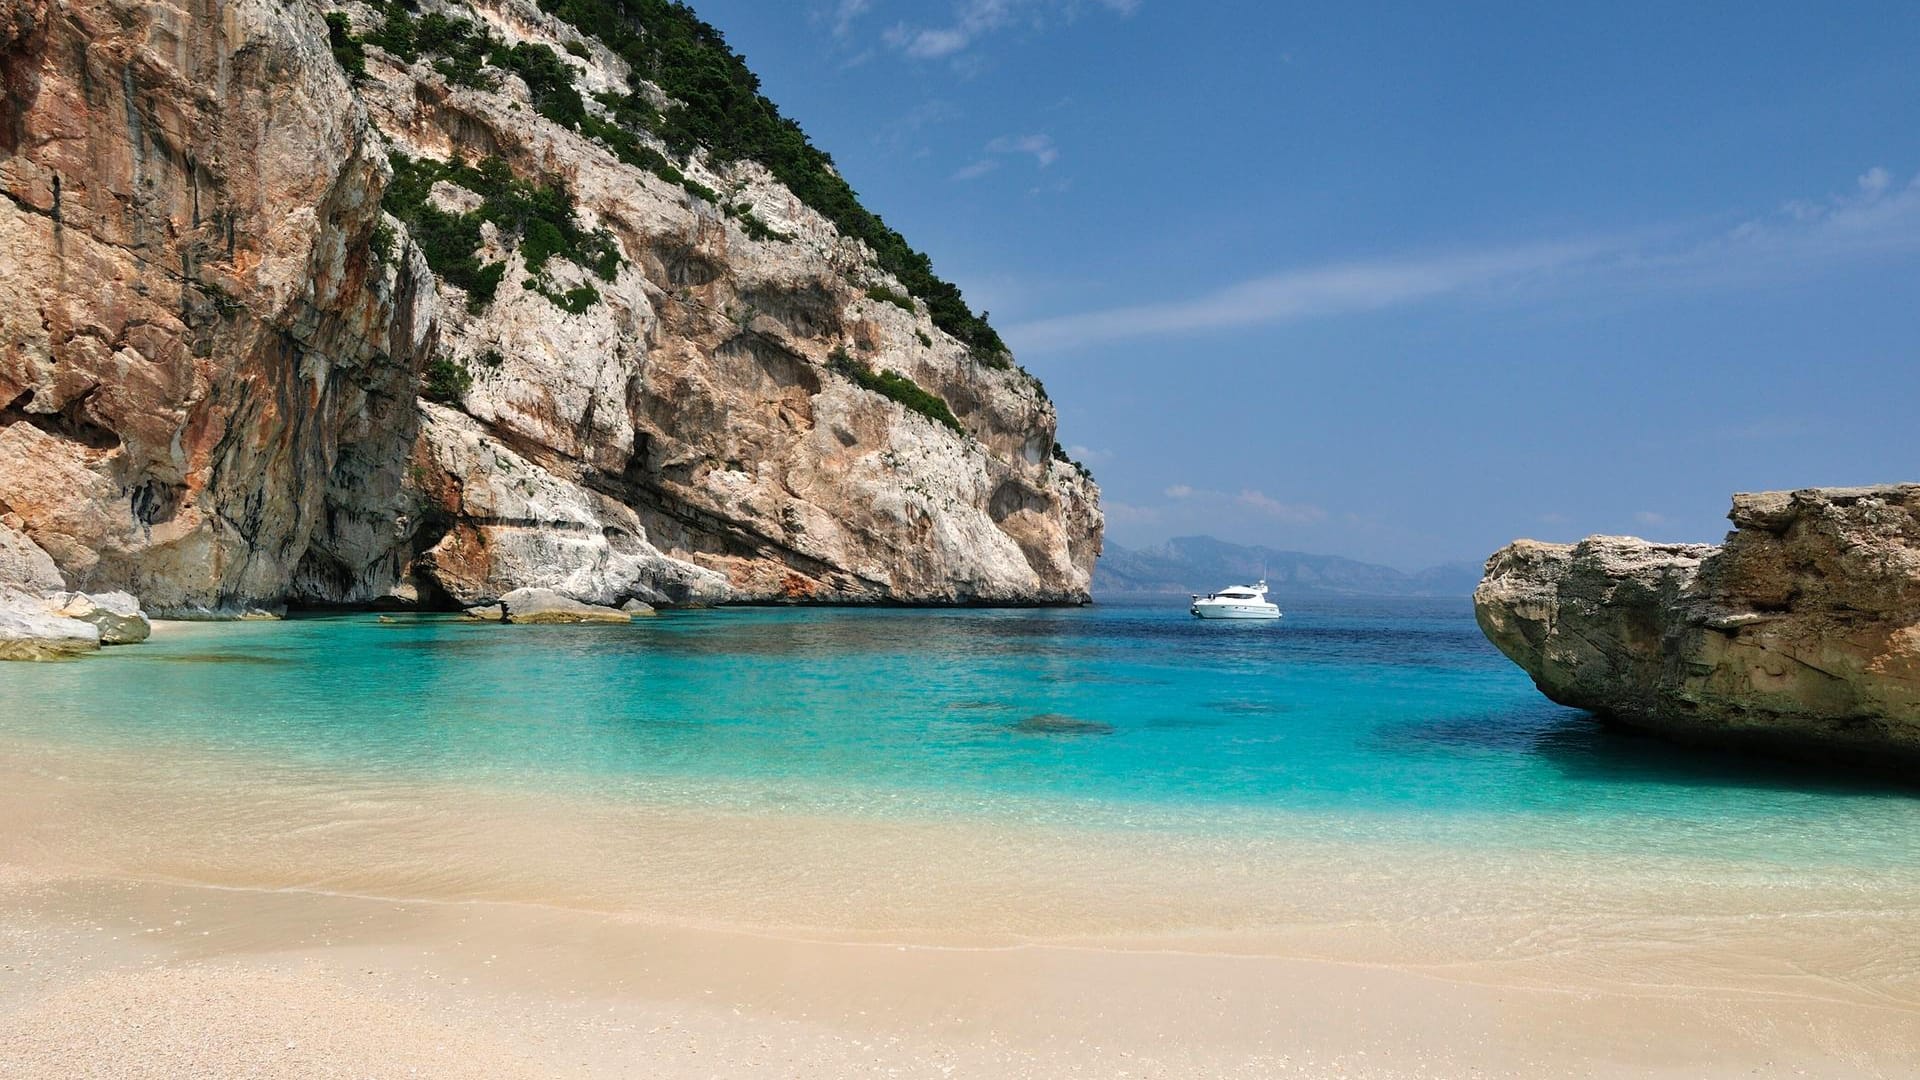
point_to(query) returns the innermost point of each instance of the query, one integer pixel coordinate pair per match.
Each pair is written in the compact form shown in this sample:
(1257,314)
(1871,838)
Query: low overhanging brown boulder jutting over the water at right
(1798,635)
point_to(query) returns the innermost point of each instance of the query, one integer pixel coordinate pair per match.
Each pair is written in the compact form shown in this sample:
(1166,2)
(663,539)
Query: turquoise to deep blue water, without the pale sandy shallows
(1355,720)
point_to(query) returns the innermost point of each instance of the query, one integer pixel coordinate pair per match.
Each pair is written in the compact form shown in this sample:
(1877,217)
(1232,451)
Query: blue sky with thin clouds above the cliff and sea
(1406,282)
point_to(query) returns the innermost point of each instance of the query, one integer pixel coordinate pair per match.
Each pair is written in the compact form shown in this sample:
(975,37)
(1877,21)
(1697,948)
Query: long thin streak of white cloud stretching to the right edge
(1798,239)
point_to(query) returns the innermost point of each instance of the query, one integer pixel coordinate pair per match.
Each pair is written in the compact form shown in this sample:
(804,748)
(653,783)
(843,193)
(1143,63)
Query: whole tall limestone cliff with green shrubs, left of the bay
(243,243)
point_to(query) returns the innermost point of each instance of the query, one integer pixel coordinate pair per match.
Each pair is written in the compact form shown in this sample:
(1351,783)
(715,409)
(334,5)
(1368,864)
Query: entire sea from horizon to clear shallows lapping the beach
(1362,779)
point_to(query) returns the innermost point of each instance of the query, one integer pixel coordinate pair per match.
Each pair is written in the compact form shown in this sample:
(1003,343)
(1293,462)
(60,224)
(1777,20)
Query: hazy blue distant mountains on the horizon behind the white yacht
(1203,564)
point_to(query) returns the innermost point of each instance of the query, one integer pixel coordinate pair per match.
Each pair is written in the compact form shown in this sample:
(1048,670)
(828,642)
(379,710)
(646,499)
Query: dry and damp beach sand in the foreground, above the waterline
(300,985)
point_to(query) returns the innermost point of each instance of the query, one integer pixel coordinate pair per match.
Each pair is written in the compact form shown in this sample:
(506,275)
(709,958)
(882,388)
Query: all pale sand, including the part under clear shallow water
(195,918)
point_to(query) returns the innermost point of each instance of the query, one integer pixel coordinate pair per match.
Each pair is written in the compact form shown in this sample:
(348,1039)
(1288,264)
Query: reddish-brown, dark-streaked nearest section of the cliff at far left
(197,335)
